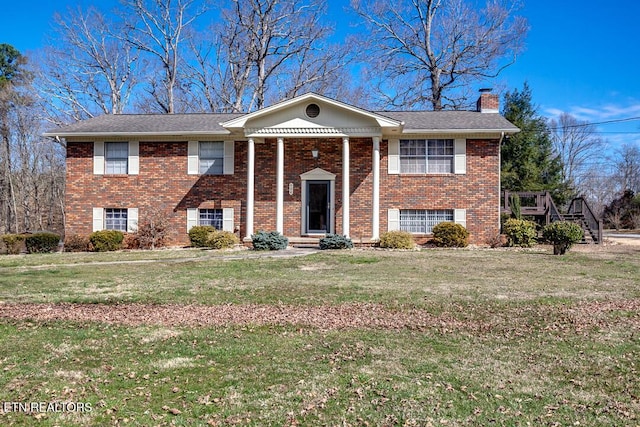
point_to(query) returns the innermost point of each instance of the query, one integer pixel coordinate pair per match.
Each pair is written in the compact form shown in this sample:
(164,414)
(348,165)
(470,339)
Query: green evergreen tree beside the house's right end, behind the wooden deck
(528,162)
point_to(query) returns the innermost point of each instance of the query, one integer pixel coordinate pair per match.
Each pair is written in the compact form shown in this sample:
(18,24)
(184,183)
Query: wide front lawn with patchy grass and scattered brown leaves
(361,337)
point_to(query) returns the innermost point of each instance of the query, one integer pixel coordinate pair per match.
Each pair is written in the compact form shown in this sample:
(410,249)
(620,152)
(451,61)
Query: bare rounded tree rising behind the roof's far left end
(89,70)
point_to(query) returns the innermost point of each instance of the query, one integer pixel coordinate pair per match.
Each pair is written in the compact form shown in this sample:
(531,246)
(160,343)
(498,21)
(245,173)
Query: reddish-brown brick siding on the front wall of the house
(164,185)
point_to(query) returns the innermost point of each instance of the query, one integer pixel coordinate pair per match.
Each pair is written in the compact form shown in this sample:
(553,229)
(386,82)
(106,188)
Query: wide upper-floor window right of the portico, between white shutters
(426,155)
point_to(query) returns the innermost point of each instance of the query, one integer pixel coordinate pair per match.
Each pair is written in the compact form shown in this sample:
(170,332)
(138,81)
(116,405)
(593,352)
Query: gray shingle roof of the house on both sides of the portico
(184,124)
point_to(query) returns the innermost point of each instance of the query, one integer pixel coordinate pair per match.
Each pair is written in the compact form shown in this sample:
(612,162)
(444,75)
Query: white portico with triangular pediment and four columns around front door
(328,123)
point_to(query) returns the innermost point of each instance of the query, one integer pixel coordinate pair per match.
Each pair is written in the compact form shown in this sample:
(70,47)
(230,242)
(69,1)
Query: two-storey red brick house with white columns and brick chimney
(285,168)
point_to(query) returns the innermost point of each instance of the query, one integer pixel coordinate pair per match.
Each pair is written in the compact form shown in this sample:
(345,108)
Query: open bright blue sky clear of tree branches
(582,56)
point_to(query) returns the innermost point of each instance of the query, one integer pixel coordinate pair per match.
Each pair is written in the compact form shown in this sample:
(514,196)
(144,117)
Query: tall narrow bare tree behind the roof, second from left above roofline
(159,28)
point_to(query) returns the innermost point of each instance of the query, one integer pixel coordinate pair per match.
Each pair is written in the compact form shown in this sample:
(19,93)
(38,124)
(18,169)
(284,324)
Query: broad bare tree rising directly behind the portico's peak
(267,50)
